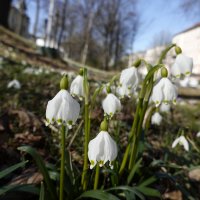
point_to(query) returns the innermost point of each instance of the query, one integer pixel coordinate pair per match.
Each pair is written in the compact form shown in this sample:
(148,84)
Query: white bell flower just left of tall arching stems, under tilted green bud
(129,77)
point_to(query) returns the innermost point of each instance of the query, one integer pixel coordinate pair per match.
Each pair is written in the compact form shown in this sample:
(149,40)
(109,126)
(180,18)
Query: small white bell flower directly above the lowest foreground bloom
(111,104)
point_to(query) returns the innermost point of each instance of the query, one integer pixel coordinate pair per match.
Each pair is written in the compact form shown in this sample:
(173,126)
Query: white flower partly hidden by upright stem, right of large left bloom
(77,88)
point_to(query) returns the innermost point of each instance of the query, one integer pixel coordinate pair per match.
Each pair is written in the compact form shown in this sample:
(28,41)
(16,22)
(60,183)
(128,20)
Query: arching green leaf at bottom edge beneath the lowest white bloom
(98,194)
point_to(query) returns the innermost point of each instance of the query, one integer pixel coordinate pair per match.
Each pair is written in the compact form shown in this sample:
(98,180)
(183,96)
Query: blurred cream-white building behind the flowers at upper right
(188,40)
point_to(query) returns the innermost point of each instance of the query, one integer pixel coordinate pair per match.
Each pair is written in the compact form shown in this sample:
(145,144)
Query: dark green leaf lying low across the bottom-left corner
(24,188)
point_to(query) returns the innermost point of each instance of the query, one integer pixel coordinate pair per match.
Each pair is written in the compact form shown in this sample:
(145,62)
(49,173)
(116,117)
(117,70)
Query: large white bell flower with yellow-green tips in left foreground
(63,109)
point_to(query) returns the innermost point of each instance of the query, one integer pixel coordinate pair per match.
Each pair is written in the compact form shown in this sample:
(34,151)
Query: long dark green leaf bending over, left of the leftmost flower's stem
(42,168)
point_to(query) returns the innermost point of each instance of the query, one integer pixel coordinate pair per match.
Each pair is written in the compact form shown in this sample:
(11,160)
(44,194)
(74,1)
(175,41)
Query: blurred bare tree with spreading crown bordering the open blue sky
(116,27)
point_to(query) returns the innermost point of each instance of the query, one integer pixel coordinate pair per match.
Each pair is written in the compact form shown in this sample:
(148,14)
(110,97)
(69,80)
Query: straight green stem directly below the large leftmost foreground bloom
(62,163)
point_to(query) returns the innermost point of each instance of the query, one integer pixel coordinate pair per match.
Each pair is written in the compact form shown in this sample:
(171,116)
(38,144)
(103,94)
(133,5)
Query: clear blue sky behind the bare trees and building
(155,16)
